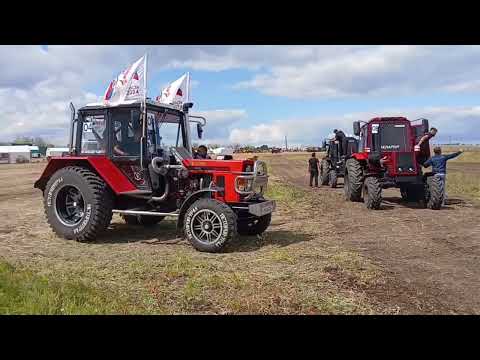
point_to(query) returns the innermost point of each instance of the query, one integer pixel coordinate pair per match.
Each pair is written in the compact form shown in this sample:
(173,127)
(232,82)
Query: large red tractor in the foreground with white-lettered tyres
(136,160)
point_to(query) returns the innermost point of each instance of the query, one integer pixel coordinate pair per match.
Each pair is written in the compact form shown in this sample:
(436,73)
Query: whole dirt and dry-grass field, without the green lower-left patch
(320,255)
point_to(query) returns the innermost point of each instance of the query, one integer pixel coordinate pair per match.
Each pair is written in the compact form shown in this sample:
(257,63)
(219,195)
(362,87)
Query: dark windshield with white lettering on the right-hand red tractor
(393,137)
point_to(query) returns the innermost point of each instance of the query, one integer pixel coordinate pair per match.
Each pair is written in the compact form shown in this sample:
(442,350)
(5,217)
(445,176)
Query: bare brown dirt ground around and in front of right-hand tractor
(434,253)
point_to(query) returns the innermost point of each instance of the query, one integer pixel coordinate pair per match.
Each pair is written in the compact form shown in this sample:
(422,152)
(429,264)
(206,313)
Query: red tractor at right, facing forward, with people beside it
(388,157)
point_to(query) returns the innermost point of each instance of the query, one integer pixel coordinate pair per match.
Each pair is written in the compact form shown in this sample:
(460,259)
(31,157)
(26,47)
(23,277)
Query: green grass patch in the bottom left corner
(23,292)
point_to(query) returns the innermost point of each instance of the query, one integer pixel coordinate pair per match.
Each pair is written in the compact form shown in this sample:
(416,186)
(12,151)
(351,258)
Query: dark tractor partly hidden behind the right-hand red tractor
(332,166)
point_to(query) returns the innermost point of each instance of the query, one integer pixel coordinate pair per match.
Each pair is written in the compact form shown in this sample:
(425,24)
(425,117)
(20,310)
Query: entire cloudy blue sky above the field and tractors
(253,94)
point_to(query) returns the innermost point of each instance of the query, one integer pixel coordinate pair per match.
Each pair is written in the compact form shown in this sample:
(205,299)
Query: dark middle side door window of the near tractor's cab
(127,132)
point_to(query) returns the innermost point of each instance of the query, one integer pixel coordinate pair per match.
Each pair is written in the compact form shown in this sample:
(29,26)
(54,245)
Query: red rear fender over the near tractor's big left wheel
(103,166)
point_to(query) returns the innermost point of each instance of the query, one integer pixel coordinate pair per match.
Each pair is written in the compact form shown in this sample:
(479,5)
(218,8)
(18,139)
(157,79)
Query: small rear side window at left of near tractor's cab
(93,134)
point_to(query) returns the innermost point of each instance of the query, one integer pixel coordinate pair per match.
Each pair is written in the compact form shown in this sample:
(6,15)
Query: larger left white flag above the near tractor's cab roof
(129,84)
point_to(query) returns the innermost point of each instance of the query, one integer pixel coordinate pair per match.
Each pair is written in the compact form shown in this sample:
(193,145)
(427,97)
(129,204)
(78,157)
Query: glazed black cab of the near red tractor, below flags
(121,135)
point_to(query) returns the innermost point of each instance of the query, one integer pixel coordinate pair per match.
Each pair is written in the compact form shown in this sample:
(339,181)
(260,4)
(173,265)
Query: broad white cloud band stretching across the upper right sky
(376,70)
